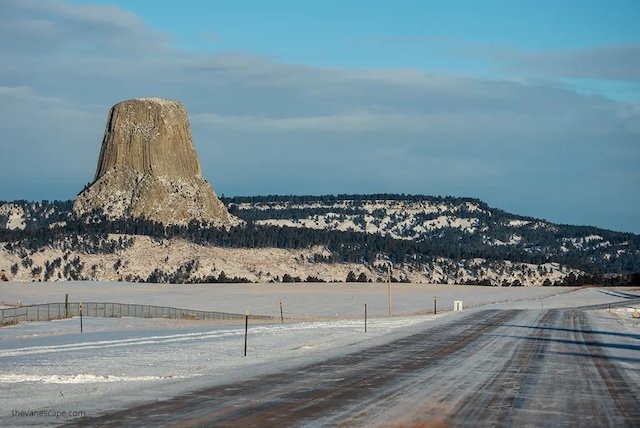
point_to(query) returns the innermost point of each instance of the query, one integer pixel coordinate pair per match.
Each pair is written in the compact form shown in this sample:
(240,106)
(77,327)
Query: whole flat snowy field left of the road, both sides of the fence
(118,362)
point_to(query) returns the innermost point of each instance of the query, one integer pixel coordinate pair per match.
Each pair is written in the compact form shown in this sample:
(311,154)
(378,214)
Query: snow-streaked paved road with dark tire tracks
(494,367)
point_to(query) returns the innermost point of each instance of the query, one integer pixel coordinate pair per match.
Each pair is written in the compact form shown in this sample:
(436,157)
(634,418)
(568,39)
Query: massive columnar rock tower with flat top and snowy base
(148,167)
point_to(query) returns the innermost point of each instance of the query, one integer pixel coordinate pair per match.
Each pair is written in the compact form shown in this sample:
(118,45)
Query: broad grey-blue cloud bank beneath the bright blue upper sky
(302,129)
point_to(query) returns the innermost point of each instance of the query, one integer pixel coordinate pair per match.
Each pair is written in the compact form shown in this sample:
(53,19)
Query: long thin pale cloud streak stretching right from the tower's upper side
(436,123)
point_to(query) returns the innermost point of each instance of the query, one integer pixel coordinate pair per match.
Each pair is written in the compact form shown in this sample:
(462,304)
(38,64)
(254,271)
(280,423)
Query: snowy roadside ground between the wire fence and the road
(119,362)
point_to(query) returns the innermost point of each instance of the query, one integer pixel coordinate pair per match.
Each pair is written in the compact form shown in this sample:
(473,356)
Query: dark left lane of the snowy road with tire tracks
(315,393)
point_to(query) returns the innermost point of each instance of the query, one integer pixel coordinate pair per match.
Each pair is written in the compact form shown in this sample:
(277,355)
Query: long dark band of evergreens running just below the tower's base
(90,235)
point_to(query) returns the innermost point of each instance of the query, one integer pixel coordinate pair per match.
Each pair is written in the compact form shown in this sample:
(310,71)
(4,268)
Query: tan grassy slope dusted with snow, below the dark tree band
(150,260)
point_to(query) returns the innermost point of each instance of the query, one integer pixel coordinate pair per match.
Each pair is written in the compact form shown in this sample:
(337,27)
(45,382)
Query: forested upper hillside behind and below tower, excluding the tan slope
(461,234)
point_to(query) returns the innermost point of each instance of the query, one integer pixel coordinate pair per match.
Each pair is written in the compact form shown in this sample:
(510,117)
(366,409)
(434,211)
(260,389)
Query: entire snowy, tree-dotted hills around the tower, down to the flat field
(424,239)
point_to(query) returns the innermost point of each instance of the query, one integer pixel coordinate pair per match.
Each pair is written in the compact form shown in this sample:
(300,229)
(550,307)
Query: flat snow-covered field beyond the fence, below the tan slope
(299,300)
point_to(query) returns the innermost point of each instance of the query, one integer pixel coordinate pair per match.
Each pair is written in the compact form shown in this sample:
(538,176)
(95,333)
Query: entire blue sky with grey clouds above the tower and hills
(531,106)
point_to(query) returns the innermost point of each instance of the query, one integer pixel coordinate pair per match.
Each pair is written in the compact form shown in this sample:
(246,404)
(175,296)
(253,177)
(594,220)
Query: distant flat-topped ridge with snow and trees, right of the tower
(461,222)
